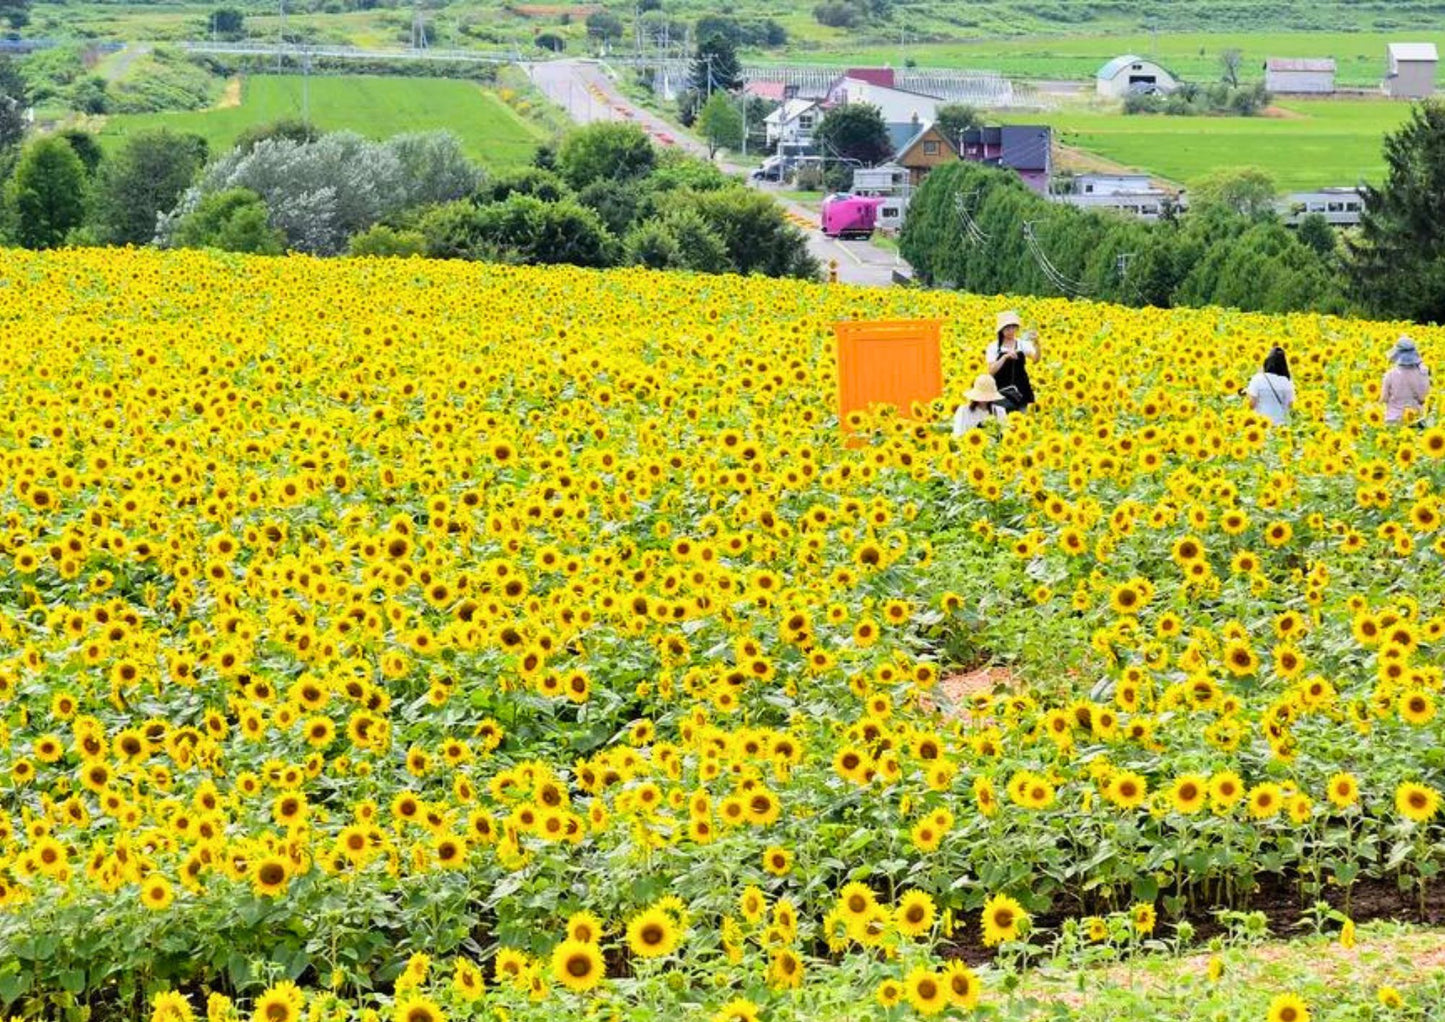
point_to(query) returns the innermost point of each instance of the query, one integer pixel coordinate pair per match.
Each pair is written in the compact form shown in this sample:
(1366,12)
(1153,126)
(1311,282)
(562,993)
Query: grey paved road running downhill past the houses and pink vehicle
(589,95)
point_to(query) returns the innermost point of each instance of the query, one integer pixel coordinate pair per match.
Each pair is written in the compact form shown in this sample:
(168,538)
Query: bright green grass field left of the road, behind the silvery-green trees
(376,108)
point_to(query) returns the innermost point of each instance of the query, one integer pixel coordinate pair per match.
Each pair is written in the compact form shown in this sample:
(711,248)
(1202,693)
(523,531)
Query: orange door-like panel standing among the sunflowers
(891,362)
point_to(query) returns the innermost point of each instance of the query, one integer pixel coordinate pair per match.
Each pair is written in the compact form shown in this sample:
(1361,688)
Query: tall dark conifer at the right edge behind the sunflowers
(1398,261)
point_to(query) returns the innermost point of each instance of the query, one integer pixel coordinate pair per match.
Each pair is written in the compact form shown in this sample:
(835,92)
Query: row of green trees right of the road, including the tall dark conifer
(983,231)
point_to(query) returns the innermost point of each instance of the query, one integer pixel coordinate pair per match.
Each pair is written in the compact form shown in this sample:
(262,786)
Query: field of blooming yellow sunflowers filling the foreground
(411,641)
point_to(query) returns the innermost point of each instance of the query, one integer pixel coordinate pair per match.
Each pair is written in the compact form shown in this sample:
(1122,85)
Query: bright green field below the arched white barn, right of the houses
(1323,142)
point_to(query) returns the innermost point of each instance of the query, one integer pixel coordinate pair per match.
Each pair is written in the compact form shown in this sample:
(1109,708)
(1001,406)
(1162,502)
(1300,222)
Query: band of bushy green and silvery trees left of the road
(606,197)
